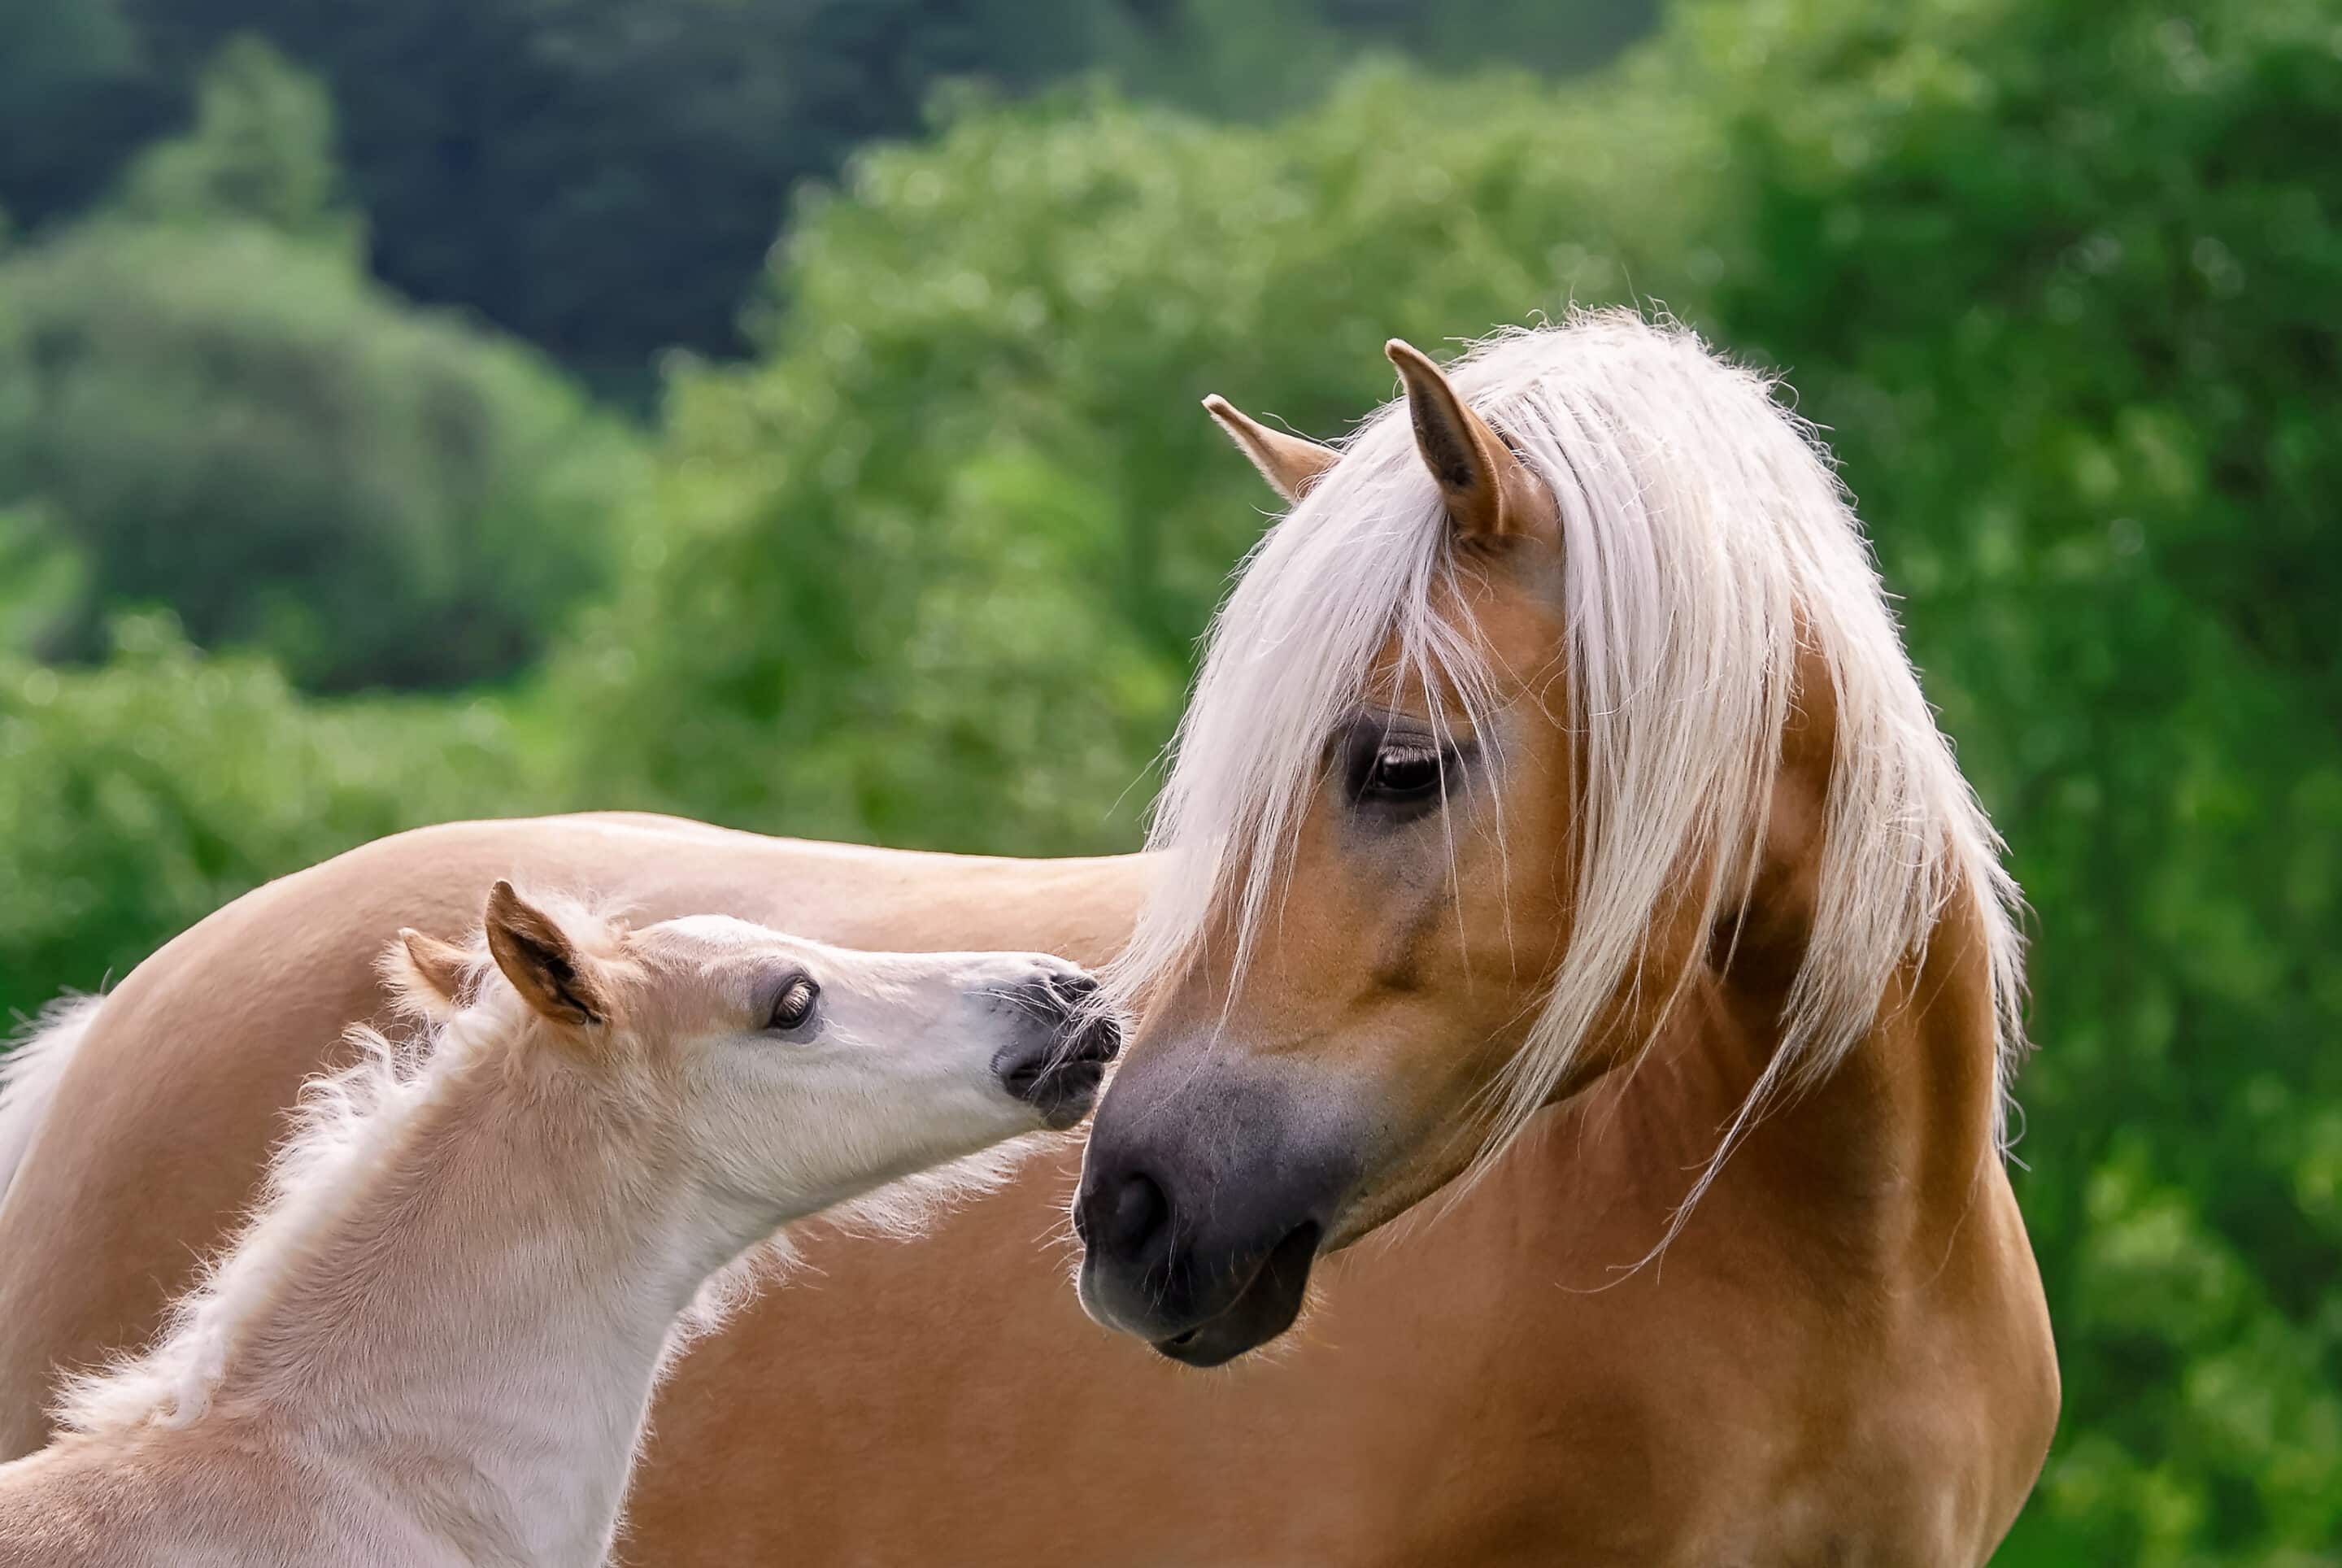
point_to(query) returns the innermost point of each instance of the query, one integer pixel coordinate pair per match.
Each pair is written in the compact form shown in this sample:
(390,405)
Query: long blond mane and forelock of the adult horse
(1706,540)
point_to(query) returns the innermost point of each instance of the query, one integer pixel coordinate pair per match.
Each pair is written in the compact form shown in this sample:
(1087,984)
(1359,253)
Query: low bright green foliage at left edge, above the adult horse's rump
(139,798)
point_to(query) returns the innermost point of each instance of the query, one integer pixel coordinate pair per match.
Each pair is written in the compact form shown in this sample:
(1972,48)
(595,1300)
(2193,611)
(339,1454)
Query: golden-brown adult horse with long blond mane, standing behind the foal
(1556,793)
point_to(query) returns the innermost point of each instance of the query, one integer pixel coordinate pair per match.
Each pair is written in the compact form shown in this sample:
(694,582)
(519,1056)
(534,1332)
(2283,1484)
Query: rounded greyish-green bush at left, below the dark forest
(245,430)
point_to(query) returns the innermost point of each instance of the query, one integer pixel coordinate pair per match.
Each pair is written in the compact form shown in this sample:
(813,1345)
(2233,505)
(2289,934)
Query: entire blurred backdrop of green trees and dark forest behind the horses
(786,414)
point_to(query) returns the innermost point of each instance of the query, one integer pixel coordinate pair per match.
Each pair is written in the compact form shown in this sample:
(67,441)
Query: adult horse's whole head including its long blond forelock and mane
(1479,770)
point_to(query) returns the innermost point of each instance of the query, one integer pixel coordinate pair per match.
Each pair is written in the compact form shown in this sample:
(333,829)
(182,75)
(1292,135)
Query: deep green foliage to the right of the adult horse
(2060,280)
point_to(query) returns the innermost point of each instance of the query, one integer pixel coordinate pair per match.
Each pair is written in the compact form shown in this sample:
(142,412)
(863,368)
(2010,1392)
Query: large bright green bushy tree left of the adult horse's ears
(933,571)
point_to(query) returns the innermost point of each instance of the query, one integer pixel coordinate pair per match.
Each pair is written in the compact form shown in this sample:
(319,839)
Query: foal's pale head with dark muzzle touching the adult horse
(779,1075)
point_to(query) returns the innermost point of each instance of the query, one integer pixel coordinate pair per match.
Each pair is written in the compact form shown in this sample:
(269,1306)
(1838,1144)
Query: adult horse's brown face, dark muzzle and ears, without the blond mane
(1331,1044)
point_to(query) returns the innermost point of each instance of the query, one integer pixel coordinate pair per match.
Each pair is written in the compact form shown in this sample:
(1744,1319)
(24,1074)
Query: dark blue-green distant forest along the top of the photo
(605,177)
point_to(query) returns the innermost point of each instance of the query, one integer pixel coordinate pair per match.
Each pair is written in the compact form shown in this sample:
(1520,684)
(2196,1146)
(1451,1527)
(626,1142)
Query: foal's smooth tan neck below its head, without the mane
(486,1311)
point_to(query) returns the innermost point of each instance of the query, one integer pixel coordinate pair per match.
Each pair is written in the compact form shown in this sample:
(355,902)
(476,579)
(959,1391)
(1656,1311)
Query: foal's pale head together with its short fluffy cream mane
(701,1084)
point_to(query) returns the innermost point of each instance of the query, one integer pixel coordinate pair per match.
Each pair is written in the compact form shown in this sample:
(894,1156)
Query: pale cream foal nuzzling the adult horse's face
(439,1335)
